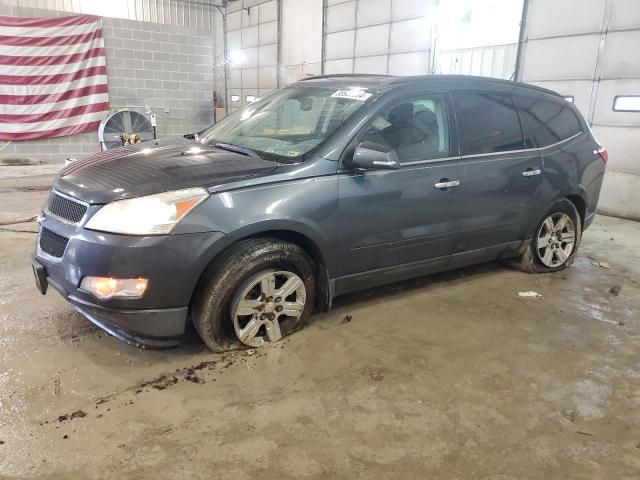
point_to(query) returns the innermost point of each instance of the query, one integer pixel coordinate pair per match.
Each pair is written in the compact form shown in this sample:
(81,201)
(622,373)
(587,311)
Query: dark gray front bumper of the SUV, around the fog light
(172,263)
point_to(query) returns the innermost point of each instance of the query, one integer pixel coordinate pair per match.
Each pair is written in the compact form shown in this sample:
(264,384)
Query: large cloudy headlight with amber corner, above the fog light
(150,215)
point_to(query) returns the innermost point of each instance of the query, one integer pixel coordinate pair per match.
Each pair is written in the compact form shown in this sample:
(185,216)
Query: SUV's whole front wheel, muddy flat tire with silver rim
(217,299)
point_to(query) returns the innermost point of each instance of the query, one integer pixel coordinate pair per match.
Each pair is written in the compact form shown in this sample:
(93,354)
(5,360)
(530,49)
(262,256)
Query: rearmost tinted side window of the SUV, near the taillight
(545,122)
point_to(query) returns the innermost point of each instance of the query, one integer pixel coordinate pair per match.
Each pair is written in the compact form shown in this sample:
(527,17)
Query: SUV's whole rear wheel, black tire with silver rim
(535,258)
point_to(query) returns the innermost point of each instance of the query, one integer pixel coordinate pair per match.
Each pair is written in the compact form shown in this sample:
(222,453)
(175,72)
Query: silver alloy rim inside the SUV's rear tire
(556,240)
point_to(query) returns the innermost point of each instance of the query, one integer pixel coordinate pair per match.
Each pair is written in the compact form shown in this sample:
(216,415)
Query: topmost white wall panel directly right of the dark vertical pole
(552,17)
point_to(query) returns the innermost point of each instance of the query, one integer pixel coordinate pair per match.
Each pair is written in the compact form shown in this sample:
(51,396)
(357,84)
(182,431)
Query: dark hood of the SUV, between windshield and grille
(137,170)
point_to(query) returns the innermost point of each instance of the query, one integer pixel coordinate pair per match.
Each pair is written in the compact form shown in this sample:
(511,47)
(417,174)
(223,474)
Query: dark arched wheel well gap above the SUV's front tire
(324,296)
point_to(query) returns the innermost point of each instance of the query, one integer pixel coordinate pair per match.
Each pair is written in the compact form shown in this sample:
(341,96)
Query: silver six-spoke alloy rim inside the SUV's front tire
(267,307)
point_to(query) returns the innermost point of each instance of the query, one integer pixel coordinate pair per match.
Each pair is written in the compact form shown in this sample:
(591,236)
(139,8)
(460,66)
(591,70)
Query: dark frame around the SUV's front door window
(396,99)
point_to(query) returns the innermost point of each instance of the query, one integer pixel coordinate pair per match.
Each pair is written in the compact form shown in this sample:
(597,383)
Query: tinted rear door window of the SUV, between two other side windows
(488,123)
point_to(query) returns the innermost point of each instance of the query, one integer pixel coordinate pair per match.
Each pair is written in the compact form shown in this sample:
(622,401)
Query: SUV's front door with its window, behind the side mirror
(395,224)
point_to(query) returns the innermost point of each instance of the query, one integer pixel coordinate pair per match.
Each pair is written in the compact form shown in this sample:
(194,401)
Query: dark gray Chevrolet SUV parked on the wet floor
(330,185)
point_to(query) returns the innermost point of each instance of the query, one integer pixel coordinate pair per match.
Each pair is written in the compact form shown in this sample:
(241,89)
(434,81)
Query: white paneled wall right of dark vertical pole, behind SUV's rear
(589,50)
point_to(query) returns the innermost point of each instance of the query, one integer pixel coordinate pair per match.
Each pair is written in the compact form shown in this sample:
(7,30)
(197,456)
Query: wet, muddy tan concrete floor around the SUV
(450,376)
